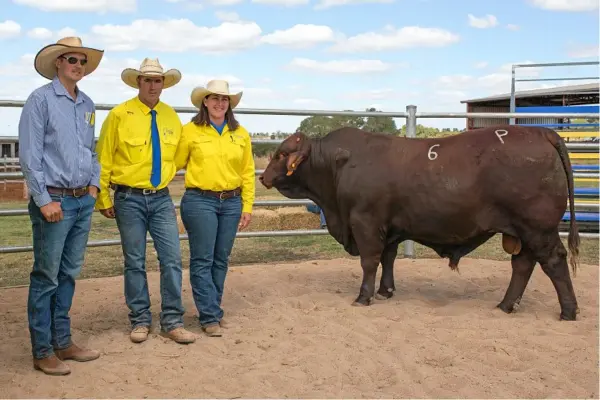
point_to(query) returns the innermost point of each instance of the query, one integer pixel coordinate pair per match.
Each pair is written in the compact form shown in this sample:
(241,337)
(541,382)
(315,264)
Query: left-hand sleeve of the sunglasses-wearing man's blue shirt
(31,146)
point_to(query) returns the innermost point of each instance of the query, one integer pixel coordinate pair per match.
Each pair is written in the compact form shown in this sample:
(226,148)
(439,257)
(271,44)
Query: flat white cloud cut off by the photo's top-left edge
(99,6)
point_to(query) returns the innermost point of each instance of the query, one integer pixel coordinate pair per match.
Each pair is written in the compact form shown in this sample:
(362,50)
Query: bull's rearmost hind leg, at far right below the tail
(552,256)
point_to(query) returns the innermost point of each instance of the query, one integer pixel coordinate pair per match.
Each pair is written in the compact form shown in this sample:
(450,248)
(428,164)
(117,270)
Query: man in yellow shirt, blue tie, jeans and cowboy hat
(136,150)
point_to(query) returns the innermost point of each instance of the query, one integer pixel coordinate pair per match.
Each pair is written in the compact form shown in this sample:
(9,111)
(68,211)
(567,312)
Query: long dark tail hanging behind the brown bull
(573,239)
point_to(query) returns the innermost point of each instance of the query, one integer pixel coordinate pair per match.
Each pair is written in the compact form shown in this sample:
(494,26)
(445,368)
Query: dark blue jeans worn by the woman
(211,225)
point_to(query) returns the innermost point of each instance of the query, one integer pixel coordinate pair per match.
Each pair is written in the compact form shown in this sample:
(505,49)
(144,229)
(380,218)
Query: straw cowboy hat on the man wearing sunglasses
(45,58)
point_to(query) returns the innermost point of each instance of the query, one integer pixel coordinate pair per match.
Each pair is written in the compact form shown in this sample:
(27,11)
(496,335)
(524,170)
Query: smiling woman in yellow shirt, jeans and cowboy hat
(216,152)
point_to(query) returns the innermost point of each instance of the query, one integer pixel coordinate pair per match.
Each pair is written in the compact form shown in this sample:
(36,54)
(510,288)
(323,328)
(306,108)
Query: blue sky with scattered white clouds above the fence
(309,54)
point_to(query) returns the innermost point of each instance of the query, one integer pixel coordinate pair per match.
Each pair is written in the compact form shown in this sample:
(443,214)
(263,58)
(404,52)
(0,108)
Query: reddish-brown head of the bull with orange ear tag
(286,159)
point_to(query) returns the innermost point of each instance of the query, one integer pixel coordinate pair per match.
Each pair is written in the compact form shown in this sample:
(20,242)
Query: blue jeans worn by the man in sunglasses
(58,253)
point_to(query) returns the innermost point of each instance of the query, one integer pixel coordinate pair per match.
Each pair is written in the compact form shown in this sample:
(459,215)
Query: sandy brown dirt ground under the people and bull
(295,334)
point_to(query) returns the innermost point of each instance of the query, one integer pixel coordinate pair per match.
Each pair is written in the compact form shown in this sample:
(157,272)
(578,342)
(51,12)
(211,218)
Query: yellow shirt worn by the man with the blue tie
(125,147)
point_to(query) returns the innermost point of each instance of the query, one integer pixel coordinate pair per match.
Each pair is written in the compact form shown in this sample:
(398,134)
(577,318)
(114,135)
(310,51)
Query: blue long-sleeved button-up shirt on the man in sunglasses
(57,141)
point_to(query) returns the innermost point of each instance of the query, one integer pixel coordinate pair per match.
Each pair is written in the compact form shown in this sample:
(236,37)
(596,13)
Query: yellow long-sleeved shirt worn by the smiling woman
(217,162)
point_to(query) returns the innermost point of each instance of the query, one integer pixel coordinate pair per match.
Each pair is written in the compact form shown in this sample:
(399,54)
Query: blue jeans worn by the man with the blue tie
(137,214)
